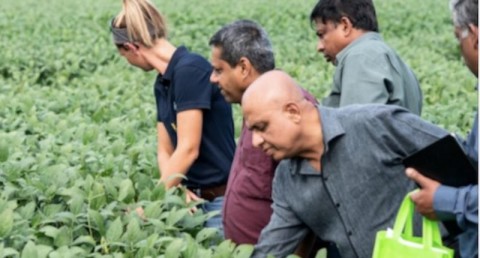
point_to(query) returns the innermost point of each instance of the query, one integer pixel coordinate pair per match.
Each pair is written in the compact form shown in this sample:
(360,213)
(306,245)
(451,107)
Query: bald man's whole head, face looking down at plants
(280,118)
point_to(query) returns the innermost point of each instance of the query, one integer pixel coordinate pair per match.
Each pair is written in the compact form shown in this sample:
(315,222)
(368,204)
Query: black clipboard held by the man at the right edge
(444,161)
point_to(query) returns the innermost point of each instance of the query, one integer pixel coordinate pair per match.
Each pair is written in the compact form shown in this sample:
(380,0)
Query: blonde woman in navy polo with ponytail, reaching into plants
(195,126)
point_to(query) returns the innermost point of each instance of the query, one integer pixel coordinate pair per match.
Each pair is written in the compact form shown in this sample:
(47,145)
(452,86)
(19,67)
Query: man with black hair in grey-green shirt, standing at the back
(367,69)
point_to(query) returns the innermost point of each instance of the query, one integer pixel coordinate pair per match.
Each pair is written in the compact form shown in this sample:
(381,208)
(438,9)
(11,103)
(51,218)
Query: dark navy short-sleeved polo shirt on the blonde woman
(184,86)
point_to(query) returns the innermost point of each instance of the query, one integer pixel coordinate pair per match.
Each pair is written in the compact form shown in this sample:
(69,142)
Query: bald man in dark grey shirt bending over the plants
(341,174)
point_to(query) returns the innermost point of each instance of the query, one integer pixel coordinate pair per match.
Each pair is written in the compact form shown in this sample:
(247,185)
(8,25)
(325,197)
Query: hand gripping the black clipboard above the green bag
(423,198)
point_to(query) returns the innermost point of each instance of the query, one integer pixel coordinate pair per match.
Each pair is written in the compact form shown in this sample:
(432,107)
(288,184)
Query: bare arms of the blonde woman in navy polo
(189,132)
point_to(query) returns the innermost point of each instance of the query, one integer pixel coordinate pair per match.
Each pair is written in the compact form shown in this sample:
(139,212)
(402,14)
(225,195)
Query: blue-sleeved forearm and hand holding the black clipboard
(436,201)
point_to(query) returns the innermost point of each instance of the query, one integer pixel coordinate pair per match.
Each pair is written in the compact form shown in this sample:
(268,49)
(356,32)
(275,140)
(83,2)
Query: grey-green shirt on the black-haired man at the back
(369,71)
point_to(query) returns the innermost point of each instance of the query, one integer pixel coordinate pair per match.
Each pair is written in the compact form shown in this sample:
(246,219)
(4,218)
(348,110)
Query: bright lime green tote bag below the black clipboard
(400,242)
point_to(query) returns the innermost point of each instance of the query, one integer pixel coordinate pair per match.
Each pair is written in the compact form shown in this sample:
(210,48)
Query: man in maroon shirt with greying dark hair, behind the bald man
(241,52)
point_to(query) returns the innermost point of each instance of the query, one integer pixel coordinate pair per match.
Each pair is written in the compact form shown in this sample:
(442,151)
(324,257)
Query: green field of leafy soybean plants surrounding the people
(78,123)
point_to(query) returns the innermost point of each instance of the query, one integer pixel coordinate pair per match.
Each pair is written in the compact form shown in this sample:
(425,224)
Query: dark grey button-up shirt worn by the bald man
(360,187)
